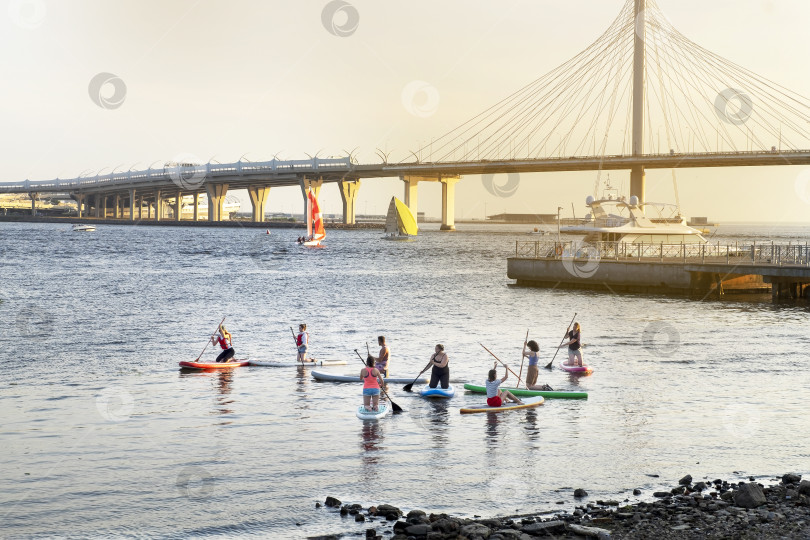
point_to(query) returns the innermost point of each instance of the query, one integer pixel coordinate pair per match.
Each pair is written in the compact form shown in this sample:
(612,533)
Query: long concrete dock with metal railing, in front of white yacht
(679,269)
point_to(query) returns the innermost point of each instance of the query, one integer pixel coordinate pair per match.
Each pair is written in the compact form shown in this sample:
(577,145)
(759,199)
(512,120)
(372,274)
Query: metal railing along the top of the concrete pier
(730,253)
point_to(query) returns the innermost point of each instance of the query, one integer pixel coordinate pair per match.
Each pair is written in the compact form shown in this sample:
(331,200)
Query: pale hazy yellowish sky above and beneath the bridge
(92,86)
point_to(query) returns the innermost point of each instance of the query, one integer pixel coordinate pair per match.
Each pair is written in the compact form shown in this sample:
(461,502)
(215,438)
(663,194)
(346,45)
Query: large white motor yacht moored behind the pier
(626,221)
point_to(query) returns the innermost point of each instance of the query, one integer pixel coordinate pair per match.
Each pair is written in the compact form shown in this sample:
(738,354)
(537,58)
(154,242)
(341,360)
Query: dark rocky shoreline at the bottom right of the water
(704,509)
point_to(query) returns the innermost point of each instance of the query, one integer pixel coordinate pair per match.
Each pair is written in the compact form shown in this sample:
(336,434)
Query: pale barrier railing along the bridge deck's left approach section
(186,171)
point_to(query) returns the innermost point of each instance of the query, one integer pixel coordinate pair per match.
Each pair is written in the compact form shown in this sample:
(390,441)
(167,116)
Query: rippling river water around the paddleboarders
(102,434)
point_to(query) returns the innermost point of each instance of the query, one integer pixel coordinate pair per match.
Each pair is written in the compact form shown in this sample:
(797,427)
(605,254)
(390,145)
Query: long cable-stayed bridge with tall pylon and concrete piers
(642,96)
